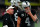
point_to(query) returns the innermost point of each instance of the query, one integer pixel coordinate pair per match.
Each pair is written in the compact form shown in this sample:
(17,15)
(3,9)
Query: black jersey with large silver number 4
(26,20)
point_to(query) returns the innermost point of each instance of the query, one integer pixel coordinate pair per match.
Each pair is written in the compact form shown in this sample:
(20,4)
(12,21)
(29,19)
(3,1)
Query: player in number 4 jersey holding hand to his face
(27,17)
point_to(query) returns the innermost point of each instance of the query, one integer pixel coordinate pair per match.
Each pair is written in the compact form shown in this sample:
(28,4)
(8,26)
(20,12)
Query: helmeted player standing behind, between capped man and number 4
(16,10)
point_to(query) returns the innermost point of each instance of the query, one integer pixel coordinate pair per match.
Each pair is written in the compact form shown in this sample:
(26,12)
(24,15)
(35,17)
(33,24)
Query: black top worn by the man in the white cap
(7,20)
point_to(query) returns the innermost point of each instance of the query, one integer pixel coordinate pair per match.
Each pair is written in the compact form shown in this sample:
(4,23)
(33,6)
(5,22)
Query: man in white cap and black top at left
(7,18)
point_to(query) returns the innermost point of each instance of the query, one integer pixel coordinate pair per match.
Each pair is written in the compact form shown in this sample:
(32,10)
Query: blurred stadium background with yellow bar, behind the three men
(35,5)
